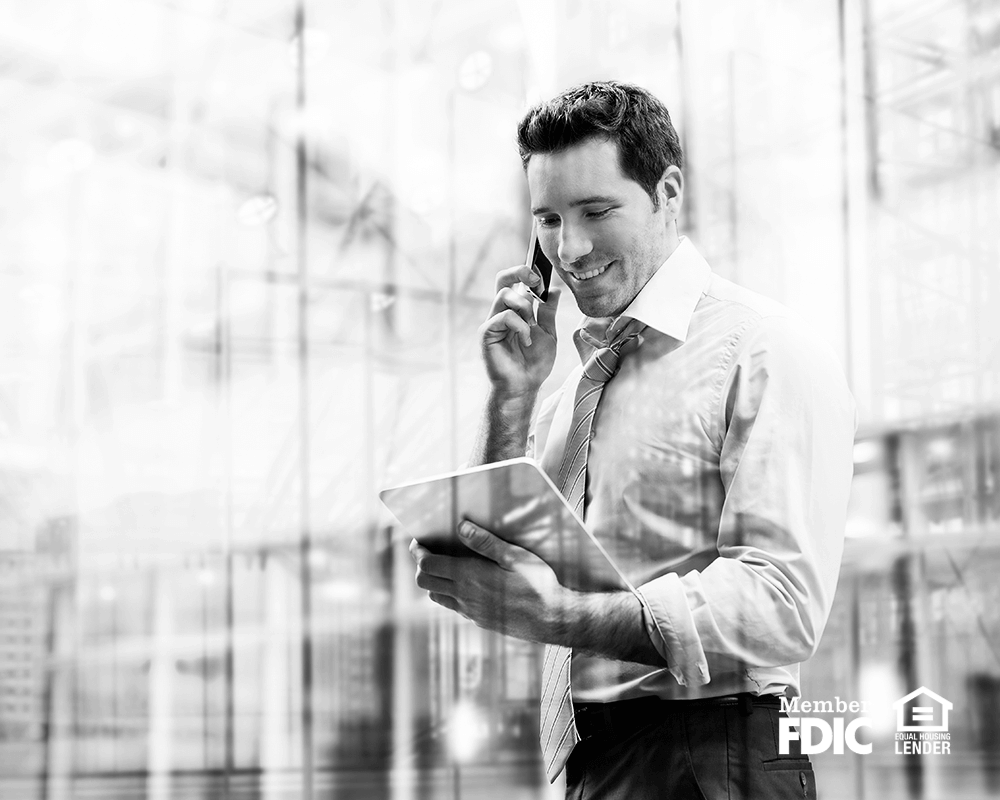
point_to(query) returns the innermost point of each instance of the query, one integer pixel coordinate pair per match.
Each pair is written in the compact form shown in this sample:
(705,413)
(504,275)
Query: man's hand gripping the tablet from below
(509,589)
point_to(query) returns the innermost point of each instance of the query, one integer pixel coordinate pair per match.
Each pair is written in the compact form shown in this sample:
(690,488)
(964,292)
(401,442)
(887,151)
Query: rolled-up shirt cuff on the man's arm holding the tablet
(672,631)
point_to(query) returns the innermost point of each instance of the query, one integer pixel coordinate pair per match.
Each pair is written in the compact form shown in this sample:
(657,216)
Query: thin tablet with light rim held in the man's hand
(518,502)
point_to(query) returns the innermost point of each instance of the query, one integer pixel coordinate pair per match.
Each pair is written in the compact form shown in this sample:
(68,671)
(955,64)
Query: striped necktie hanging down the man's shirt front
(557,732)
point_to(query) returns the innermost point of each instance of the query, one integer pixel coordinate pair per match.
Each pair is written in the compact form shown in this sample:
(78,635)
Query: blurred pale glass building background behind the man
(244,249)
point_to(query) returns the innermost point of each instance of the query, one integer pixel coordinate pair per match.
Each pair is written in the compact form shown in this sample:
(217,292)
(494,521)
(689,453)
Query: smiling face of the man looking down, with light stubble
(597,226)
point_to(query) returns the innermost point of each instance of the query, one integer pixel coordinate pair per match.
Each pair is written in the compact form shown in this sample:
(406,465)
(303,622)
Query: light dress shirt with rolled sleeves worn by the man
(718,480)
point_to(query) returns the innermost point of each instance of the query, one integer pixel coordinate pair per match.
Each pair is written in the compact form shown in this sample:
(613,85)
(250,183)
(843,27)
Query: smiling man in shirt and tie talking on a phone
(710,451)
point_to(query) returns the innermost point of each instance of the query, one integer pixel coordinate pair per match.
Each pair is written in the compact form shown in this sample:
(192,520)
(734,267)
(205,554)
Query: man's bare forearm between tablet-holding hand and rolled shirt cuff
(609,625)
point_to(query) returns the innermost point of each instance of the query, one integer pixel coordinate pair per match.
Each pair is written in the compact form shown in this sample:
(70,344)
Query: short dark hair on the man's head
(621,113)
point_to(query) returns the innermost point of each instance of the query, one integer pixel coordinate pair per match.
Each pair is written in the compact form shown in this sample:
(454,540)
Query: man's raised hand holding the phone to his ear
(518,350)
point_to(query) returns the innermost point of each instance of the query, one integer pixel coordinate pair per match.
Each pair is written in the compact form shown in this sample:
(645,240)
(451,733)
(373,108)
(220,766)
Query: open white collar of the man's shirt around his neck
(666,303)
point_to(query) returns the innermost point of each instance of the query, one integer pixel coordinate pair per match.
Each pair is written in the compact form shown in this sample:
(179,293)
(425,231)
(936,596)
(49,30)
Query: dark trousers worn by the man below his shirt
(686,751)
